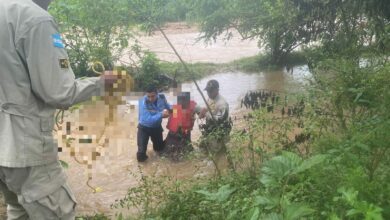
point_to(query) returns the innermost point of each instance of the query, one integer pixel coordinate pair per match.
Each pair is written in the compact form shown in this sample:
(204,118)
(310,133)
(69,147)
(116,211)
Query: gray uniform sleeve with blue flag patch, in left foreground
(52,78)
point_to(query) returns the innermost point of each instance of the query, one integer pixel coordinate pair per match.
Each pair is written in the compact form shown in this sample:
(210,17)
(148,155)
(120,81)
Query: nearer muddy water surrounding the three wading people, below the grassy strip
(111,170)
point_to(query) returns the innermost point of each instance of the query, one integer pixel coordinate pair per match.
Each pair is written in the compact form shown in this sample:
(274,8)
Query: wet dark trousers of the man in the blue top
(143,135)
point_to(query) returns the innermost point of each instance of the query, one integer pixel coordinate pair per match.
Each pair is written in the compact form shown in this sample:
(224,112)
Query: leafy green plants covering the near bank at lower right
(340,172)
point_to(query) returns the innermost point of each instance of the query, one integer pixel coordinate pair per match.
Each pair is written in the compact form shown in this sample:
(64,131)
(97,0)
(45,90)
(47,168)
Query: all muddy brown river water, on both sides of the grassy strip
(110,172)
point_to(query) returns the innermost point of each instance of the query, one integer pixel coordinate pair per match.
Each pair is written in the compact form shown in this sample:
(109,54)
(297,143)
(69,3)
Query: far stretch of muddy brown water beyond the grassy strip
(186,41)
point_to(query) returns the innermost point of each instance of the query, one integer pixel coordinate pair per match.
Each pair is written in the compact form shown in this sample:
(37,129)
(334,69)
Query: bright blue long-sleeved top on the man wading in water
(150,114)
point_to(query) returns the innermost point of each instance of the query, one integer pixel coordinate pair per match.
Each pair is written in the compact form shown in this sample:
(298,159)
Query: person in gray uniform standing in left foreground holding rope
(35,80)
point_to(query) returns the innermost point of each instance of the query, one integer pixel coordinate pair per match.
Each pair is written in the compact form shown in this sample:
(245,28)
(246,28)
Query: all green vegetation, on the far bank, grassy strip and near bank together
(340,170)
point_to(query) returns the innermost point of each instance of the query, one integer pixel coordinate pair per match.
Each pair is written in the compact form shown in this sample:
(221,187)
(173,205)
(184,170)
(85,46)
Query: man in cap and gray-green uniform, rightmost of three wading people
(218,125)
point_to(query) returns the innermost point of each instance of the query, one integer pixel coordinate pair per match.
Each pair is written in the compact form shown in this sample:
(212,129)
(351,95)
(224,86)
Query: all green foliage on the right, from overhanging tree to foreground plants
(340,169)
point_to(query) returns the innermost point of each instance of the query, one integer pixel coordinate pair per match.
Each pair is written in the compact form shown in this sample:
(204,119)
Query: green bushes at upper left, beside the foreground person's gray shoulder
(106,31)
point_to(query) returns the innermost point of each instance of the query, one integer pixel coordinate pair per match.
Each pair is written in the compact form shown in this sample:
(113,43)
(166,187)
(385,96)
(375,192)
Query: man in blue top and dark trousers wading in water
(153,107)
